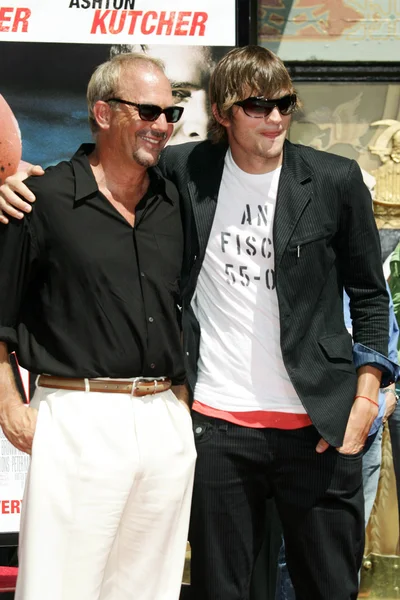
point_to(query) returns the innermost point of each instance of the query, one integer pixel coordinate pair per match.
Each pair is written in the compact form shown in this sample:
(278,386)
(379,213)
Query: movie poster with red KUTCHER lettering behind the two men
(48,51)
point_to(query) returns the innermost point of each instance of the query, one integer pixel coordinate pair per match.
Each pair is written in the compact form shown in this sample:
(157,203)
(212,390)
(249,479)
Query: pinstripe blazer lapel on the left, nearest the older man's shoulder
(203,191)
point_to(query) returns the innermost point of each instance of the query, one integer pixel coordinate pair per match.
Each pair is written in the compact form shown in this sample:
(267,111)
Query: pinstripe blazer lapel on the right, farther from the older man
(294,194)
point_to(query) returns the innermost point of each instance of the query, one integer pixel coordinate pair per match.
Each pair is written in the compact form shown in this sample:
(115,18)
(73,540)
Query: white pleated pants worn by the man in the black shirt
(107,500)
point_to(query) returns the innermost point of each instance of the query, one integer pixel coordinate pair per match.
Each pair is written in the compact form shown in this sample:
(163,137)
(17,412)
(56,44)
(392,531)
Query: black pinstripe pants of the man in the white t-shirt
(319,499)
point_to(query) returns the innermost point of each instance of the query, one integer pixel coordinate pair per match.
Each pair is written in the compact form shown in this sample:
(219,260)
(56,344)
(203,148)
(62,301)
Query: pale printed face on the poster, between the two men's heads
(188,69)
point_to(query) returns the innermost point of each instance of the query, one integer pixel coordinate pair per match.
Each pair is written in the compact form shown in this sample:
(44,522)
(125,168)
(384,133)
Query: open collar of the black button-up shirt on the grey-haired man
(86,185)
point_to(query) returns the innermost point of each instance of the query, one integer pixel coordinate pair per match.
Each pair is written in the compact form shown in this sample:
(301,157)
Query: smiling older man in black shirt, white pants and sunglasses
(92,305)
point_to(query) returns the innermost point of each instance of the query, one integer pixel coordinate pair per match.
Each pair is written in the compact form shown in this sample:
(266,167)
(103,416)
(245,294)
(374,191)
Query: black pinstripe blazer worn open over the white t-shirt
(324,237)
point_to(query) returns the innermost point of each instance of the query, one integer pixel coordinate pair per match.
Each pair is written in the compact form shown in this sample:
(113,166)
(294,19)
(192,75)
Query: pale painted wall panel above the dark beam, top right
(349,30)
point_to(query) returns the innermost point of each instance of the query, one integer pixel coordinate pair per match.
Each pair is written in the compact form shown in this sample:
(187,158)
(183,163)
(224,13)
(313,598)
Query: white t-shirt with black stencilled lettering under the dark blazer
(240,366)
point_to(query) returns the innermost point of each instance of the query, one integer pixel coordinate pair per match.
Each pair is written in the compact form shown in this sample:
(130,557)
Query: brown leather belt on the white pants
(140,387)
